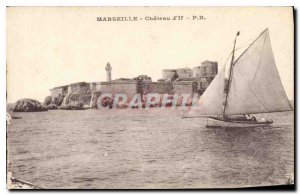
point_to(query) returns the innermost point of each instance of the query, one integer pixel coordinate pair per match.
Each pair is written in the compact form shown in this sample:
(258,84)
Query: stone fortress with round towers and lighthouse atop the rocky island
(173,81)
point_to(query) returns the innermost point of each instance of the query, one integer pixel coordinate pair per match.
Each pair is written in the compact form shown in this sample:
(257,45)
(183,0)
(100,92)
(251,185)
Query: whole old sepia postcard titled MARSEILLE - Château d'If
(150,97)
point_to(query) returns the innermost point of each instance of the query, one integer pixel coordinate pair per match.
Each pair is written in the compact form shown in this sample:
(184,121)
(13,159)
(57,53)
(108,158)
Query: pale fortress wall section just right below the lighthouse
(130,88)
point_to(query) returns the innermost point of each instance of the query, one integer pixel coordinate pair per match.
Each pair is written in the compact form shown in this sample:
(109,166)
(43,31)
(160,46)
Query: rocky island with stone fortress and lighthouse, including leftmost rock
(177,87)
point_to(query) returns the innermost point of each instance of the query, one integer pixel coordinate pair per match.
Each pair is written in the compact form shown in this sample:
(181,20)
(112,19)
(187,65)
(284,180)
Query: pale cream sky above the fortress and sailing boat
(54,46)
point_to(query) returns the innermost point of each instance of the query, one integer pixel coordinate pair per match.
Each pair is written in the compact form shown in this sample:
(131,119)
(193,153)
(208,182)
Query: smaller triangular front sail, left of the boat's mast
(211,101)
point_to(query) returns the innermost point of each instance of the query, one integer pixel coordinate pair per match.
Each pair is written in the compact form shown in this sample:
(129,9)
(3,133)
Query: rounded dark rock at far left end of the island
(28,105)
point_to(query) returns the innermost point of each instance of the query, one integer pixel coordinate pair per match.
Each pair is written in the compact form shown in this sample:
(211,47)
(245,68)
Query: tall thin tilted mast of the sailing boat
(228,81)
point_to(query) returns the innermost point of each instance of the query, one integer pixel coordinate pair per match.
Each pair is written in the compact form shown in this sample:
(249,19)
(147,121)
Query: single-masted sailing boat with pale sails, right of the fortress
(252,86)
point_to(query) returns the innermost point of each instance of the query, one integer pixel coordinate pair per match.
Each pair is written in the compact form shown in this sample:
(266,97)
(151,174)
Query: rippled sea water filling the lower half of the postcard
(152,148)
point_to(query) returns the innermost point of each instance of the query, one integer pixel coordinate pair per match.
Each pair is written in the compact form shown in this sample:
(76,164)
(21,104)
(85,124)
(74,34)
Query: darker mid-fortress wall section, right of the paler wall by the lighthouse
(157,87)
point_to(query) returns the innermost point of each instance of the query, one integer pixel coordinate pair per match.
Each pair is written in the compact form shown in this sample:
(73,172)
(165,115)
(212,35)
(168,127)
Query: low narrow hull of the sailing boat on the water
(213,123)
